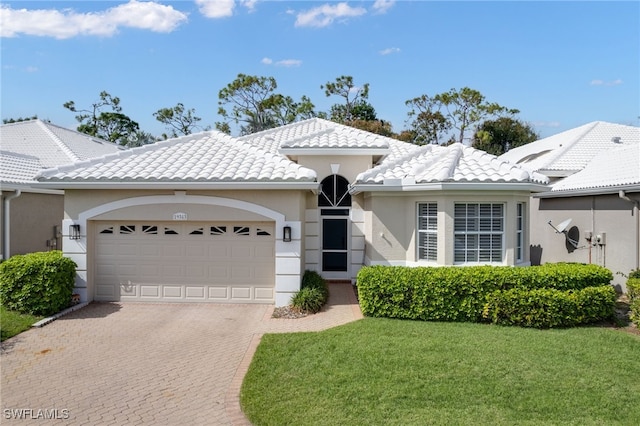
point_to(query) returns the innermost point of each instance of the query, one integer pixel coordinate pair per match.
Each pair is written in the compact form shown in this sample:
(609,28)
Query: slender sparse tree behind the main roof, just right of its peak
(355,105)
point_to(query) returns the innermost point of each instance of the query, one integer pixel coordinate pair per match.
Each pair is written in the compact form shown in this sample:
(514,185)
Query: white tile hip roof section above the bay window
(453,163)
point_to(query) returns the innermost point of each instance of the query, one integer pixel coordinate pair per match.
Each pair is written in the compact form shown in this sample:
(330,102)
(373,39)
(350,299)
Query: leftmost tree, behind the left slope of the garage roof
(112,125)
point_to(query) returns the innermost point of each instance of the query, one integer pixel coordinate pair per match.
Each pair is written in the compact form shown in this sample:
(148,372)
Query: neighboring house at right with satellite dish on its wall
(595,174)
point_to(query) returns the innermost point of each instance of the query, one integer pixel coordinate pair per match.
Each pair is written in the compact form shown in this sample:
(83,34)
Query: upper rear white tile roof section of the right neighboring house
(572,150)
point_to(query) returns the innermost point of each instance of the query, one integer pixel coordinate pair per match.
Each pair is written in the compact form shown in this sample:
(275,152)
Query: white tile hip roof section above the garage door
(202,157)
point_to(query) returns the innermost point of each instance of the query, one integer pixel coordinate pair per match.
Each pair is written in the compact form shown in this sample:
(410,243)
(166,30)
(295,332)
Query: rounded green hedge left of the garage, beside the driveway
(37,283)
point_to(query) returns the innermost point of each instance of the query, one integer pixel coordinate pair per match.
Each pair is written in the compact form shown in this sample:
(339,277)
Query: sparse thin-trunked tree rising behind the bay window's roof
(459,110)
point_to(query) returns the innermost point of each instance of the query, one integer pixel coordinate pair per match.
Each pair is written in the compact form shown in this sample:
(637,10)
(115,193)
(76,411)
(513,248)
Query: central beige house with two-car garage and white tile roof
(211,218)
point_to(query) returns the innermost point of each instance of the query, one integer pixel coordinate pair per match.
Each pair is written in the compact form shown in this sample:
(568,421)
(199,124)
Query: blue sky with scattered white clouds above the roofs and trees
(562,64)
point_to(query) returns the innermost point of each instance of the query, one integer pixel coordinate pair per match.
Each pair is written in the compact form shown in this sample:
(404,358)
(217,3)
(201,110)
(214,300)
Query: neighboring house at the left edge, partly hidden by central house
(31,216)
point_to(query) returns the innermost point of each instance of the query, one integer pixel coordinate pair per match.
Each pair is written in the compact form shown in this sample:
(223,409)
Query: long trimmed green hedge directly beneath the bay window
(460,293)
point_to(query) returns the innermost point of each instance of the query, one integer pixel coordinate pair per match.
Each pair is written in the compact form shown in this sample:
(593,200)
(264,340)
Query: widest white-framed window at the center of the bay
(479,230)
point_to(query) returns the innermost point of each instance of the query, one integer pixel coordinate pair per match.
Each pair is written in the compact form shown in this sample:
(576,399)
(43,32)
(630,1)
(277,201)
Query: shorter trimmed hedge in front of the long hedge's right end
(548,308)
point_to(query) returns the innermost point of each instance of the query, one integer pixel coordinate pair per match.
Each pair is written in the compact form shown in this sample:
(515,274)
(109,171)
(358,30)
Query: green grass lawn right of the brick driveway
(393,372)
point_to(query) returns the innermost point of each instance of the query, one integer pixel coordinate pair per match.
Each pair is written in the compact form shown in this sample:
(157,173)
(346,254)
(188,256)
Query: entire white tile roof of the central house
(216,157)
